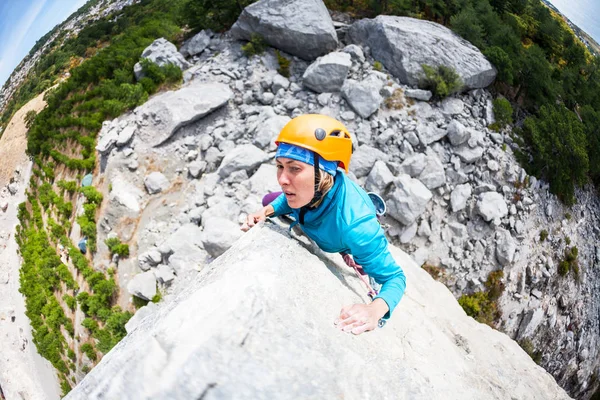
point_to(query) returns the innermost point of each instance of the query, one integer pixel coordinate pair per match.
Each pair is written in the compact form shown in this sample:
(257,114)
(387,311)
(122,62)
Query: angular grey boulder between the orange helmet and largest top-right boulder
(363,97)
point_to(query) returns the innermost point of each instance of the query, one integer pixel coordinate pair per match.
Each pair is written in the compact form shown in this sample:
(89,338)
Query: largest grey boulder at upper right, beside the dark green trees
(403,44)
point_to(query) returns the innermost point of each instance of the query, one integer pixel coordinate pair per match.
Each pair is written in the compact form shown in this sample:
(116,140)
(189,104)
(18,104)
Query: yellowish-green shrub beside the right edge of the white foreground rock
(483,305)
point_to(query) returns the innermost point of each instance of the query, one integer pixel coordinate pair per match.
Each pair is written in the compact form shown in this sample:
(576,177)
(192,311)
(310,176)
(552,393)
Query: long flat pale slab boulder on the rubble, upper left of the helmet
(161,116)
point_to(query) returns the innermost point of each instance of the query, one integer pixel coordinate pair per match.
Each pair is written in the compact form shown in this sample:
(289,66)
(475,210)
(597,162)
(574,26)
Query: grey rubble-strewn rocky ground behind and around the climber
(457,198)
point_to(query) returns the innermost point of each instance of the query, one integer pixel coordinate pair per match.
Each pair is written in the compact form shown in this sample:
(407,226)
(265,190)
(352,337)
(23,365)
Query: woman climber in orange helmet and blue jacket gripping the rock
(333,211)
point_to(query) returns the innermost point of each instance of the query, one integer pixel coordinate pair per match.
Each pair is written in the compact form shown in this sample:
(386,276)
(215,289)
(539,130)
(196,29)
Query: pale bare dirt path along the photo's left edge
(23,372)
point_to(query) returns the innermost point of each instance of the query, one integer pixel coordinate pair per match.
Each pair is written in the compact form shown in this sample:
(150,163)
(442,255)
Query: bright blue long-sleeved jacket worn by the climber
(346,222)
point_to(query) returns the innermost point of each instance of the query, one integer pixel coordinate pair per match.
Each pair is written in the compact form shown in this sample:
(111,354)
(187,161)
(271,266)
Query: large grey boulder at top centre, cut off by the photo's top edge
(300,27)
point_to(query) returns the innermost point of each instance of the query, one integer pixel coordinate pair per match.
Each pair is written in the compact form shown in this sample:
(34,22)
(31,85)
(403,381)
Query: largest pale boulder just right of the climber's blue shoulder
(408,200)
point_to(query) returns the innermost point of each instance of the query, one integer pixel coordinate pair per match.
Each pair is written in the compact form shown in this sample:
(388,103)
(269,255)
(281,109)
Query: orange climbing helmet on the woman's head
(321,134)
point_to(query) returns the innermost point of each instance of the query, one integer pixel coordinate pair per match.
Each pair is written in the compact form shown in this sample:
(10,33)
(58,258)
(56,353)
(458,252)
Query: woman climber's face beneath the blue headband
(297,180)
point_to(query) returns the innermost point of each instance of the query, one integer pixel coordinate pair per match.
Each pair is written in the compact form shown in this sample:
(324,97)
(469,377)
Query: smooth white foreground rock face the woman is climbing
(187,347)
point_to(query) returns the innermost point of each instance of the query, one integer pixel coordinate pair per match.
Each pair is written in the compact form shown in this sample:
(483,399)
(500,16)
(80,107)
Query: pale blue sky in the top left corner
(23,22)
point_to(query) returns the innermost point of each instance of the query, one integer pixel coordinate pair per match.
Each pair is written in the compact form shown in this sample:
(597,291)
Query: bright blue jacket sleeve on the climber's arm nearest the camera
(369,247)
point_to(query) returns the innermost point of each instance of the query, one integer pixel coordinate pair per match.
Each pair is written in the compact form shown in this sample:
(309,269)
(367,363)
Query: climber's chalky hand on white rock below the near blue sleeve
(359,318)
